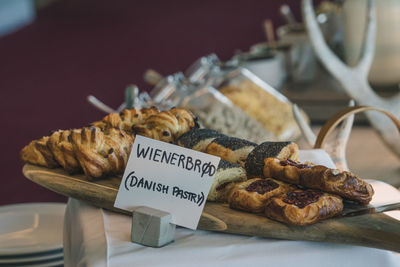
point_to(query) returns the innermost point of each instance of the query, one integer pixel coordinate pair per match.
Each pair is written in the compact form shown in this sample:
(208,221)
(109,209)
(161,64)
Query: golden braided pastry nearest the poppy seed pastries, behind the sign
(167,126)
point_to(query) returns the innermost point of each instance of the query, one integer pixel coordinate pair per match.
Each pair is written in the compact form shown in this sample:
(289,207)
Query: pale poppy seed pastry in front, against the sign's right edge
(225,178)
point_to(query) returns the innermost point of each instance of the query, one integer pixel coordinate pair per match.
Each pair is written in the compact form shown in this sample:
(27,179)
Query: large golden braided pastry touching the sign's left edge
(101,153)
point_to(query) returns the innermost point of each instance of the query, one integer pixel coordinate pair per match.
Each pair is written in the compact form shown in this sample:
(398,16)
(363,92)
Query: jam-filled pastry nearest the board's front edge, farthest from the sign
(303,207)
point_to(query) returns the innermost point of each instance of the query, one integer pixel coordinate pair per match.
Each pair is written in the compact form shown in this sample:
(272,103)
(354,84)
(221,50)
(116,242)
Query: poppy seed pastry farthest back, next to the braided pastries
(198,139)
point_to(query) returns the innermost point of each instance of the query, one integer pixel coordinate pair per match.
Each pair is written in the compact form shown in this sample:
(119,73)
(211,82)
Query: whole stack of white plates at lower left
(31,234)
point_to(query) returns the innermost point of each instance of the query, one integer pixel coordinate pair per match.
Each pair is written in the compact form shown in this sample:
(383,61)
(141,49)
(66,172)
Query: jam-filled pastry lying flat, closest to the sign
(251,195)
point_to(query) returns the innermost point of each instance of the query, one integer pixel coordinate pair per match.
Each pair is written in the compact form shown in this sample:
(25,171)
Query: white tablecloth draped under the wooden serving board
(96,237)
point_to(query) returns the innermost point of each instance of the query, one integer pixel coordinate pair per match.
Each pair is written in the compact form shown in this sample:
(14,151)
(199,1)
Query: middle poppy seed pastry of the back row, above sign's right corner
(231,149)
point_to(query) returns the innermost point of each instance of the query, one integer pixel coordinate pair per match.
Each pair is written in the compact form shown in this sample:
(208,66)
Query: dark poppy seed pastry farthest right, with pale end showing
(282,150)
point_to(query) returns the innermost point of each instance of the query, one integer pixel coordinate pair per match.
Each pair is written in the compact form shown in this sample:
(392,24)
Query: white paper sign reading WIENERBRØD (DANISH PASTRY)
(169,178)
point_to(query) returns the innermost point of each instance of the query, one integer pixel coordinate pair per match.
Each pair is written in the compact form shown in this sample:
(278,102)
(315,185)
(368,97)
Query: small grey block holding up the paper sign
(152,227)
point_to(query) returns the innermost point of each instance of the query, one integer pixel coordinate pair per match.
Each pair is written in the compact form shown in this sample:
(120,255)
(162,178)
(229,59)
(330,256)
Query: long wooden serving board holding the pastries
(371,230)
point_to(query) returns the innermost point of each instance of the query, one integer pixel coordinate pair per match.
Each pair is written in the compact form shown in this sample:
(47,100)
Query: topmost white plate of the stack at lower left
(31,228)
